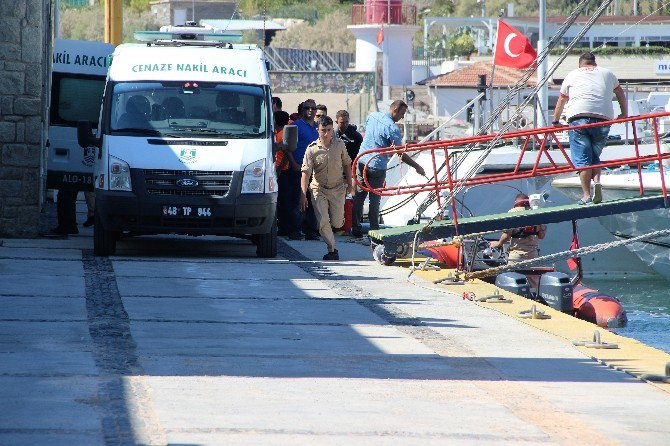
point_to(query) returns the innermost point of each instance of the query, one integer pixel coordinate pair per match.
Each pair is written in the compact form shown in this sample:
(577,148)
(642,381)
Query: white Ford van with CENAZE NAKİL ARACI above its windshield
(185,144)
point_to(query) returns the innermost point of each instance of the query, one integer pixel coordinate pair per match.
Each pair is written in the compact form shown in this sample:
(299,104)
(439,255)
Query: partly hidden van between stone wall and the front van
(78,74)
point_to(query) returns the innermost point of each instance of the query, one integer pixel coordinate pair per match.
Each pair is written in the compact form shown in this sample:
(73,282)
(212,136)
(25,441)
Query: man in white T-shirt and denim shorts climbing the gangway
(588,91)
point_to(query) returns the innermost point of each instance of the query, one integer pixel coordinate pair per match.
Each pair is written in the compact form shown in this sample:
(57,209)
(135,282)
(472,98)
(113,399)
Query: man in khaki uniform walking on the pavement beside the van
(327,163)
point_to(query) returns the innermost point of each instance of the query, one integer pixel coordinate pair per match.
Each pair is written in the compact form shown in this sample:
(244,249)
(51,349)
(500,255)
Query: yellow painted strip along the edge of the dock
(632,356)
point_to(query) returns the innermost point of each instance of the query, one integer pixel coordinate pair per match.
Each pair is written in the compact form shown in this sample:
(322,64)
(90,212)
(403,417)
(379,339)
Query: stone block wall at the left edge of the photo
(23,58)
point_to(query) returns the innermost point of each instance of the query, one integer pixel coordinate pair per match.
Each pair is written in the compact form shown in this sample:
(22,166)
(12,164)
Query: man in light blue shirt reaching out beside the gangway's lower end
(381,131)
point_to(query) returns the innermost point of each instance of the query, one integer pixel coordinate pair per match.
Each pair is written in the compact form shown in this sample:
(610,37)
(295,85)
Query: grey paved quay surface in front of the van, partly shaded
(179,340)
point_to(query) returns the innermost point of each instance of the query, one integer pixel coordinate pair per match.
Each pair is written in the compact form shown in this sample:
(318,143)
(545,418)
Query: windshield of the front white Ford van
(184,109)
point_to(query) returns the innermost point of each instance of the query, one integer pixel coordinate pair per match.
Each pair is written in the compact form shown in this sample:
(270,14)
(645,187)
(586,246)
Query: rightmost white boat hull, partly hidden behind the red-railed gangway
(623,184)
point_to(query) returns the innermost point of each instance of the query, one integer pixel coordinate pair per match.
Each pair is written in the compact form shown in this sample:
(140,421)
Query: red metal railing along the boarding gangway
(543,139)
